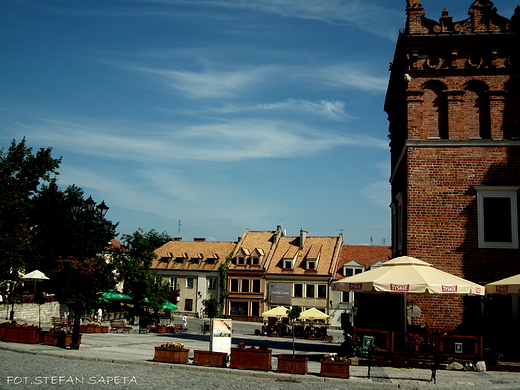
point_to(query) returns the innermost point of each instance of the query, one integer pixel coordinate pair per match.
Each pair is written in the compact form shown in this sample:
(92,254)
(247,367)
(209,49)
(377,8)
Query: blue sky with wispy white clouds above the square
(223,114)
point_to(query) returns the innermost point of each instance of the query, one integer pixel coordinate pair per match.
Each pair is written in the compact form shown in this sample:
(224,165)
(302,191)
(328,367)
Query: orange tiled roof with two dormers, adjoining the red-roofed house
(323,249)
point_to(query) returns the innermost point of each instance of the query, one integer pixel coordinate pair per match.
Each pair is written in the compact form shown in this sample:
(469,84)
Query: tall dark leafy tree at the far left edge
(21,173)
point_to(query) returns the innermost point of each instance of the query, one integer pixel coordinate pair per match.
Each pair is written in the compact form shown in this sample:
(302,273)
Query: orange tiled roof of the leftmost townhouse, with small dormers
(192,255)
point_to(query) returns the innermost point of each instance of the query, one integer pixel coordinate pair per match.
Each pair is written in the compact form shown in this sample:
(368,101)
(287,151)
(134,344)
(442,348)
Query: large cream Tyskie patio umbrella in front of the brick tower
(405,275)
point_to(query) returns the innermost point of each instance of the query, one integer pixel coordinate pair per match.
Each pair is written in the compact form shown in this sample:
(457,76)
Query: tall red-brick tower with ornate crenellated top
(453,103)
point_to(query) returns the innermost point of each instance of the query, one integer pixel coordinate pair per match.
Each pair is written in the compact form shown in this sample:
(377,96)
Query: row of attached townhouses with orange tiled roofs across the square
(264,269)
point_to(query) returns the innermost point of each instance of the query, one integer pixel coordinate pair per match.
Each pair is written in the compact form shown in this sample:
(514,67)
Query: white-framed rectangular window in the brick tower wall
(497,217)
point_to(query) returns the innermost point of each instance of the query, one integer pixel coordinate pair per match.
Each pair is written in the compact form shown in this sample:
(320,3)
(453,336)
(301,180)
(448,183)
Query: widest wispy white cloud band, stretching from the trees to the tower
(227,140)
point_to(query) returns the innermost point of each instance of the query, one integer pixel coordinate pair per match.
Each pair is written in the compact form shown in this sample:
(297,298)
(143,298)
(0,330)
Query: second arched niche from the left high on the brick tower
(476,121)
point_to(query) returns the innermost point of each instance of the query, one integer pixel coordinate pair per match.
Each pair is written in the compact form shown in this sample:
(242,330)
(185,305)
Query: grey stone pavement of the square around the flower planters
(123,361)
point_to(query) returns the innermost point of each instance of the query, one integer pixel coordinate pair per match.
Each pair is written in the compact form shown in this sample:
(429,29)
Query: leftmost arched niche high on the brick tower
(435,110)
